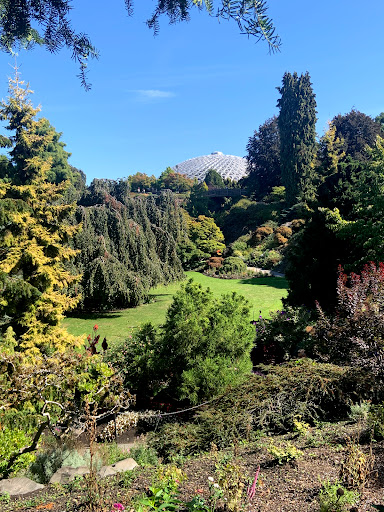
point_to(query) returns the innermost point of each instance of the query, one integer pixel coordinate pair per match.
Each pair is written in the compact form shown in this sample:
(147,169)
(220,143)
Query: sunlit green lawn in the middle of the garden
(264,294)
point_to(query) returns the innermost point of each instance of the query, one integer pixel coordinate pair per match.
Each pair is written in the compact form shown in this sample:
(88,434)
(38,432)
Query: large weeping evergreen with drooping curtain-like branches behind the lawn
(127,244)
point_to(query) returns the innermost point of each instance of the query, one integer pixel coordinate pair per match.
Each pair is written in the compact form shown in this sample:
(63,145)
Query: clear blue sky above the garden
(199,86)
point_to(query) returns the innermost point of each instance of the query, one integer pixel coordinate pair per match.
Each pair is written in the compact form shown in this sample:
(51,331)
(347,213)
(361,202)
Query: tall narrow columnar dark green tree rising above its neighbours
(297,128)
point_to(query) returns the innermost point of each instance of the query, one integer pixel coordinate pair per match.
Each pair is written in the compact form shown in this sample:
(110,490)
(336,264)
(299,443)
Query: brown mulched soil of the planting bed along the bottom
(291,487)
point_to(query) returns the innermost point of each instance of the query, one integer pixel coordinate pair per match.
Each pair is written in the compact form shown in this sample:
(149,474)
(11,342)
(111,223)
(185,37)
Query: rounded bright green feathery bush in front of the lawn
(206,342)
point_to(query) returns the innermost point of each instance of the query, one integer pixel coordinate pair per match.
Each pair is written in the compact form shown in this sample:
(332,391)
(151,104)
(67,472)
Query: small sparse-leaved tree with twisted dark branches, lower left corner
(52,394)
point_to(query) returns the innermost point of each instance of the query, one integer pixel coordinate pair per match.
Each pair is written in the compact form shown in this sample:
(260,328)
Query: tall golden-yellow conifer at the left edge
(34,233)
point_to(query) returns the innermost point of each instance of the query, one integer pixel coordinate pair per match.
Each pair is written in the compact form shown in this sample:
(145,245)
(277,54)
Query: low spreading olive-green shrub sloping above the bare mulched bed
(268,401)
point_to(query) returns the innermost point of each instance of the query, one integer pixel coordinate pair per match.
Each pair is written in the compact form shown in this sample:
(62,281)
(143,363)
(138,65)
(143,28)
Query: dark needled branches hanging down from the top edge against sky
(47,22)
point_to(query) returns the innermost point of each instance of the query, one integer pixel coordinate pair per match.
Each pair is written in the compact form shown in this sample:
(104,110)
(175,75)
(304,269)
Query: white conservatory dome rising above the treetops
(228,166)
